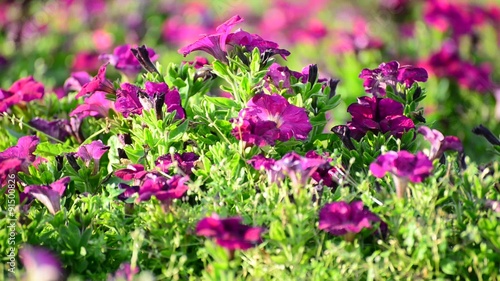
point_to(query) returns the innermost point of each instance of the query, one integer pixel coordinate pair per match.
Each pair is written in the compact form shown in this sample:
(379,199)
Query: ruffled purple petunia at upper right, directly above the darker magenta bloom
(389,74)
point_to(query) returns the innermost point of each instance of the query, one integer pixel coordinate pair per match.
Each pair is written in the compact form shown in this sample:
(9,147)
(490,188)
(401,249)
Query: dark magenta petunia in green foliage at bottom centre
(230,233)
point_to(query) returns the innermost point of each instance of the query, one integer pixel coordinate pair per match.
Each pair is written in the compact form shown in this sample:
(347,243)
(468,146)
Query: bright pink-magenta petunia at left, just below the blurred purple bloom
(96,105)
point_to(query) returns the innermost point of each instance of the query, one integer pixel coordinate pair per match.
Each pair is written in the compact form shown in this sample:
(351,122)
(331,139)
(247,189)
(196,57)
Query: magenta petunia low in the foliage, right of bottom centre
(346,219)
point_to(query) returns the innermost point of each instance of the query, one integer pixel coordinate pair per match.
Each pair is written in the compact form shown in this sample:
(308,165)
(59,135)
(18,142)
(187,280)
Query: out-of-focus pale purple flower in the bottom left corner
(40,262)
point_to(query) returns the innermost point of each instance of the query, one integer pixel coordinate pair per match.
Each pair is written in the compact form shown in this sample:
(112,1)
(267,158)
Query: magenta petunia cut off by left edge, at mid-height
(19,157)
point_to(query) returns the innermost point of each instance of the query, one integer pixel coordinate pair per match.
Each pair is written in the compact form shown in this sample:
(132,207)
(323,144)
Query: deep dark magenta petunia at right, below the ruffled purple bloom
(378,115)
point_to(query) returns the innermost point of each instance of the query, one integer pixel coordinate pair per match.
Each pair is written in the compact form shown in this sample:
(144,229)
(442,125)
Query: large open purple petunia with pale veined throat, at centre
(268,118)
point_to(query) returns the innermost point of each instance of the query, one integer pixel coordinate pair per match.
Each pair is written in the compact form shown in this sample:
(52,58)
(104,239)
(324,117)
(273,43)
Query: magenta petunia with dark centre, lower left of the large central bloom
(162,188)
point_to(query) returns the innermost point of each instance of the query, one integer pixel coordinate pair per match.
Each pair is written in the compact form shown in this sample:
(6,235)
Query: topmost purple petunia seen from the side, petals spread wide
(217,44)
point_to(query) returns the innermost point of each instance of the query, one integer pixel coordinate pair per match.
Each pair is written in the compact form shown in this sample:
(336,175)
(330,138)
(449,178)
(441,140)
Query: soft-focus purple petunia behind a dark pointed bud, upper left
(124,60)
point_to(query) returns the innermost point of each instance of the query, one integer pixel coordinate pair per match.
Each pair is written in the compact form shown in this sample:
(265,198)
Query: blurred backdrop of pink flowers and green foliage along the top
(455,41)
